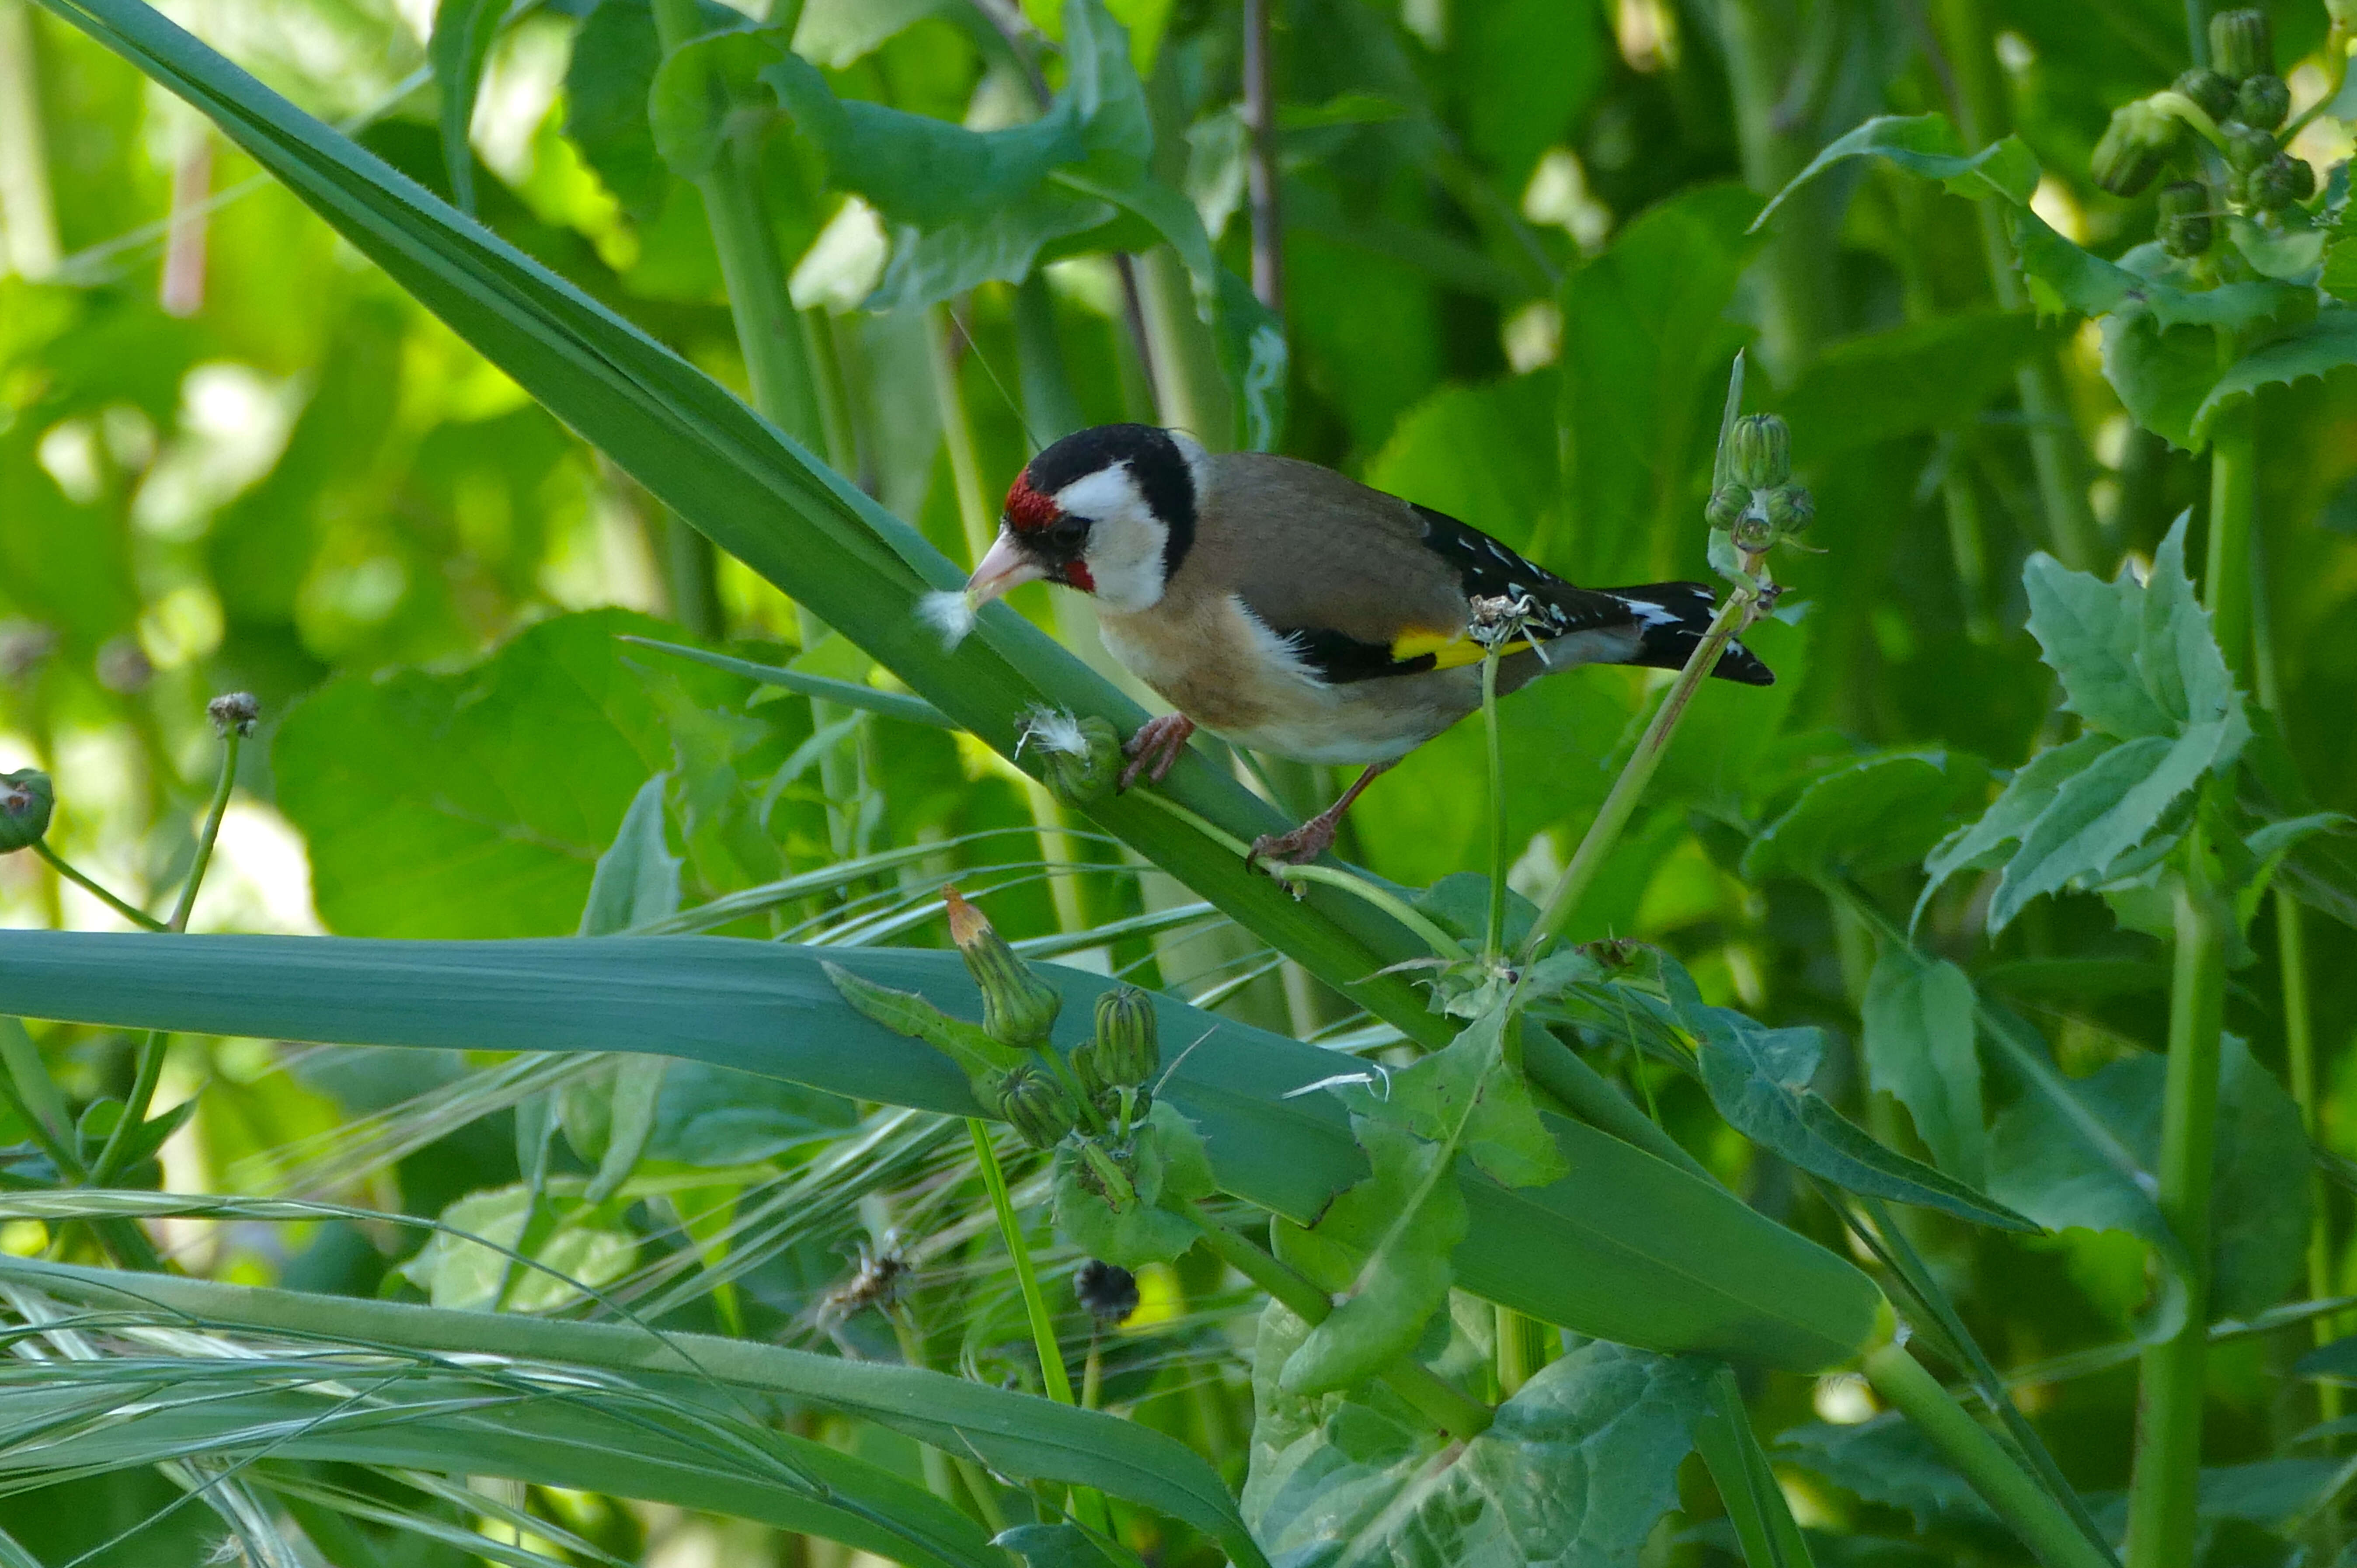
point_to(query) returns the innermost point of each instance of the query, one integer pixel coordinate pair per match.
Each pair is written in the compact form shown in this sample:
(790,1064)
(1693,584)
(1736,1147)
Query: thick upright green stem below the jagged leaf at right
(2170,1388)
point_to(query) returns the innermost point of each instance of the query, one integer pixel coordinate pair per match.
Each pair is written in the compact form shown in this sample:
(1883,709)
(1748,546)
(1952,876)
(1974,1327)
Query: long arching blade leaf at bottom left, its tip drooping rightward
(1010,1432)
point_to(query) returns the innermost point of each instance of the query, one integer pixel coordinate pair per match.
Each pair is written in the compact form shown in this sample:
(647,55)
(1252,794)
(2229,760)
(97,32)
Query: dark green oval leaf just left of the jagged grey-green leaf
(1868,817)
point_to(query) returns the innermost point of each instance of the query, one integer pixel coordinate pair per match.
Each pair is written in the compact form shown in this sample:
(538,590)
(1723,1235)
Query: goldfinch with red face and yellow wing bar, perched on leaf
(1295,612)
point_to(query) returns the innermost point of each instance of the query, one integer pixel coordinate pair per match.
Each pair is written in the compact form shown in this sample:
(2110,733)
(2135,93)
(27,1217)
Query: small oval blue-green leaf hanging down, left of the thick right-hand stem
(1920,1048)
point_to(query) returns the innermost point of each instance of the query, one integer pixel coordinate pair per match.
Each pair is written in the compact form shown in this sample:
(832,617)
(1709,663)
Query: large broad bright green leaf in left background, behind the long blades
(477,803)
